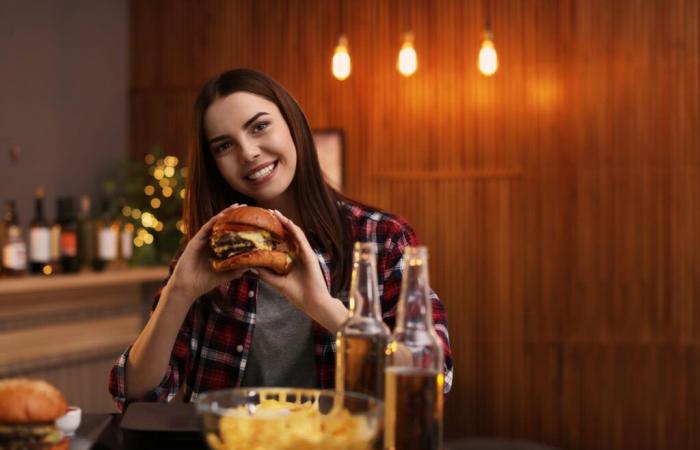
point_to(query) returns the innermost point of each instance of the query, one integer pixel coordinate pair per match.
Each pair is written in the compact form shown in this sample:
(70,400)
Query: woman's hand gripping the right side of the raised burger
(305,285)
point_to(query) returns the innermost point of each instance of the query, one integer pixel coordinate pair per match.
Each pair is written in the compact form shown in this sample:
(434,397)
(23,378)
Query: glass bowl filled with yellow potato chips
(289,418)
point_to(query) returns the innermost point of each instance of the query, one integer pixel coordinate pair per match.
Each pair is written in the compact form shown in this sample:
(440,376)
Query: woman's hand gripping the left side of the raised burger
(193,275)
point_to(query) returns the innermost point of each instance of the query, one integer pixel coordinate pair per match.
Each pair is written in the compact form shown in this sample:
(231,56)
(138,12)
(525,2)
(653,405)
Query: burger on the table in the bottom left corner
(28,410)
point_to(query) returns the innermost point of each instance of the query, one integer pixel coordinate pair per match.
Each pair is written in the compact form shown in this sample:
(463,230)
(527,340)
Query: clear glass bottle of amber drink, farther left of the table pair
(362,339)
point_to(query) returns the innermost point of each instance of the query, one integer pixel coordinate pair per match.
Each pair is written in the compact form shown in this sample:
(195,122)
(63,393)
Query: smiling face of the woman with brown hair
(252,146)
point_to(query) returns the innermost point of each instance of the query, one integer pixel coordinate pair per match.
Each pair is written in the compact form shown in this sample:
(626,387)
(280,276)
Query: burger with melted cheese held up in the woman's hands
(250,237)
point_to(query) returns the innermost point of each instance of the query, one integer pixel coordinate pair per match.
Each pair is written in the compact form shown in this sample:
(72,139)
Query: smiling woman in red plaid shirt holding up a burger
(214,330)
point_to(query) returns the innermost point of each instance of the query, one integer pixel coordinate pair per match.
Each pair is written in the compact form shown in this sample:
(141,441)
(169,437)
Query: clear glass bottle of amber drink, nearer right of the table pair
(414,379)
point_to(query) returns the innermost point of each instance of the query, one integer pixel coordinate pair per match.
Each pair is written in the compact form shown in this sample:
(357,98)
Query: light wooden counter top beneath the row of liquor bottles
(30,284)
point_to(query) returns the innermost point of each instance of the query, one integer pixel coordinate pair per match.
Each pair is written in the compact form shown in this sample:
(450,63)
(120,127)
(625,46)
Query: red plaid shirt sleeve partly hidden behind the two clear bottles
(397,236)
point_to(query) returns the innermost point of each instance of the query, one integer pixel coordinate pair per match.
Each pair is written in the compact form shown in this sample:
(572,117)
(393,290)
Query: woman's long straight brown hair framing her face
(208,192)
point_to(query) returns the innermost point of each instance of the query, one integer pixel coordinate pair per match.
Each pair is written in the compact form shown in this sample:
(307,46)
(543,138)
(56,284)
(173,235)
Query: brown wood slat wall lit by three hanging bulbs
(560,198)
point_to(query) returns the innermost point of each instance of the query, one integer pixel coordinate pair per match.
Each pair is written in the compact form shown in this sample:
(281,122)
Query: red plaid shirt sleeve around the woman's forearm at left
(169,385)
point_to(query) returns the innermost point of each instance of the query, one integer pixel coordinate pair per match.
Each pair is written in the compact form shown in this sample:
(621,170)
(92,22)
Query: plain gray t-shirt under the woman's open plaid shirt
(282,350)
